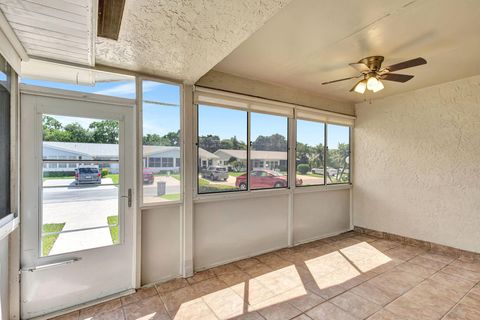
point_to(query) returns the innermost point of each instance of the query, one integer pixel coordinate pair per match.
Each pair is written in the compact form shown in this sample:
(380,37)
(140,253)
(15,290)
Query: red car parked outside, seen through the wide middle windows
(263,179)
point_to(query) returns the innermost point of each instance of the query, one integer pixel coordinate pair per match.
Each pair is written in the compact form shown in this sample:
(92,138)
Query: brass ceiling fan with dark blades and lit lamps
(371,70)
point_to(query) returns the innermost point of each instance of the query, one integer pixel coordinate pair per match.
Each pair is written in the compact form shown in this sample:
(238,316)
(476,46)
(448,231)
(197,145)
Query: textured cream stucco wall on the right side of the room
(417,164)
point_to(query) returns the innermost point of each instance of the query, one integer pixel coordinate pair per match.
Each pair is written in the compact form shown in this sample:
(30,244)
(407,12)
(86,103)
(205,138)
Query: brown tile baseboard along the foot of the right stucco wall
(434,247)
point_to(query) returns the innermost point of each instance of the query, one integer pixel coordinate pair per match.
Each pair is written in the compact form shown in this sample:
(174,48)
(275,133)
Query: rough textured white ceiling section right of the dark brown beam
(182,39)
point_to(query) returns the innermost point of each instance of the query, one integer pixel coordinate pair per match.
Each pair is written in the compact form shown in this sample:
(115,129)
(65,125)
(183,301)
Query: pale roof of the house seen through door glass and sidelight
(105,150)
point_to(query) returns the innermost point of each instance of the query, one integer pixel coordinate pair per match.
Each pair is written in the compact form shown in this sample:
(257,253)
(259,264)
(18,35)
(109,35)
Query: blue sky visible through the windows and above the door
(225,123)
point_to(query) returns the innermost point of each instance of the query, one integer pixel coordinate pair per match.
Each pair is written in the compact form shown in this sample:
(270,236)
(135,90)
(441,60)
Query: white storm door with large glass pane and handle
(77,162)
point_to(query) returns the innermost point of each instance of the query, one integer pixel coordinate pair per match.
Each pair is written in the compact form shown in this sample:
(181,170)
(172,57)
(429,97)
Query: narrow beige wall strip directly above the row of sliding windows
(228,82)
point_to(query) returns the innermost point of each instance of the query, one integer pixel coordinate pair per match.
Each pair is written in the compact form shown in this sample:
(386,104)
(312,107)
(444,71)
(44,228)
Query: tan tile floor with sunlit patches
(350,276)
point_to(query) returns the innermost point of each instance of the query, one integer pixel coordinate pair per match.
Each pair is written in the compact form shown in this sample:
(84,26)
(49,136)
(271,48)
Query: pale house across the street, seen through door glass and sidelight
(157,158)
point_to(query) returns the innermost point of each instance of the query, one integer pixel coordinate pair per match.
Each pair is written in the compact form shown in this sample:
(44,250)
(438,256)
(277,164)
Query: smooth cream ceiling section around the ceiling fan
(312,41)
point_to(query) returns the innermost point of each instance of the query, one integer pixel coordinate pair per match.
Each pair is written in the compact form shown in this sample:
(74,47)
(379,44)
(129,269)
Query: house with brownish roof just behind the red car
(272,160)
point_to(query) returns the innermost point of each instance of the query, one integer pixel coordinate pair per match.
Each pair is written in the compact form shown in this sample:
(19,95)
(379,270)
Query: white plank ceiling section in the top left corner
(54,29)
